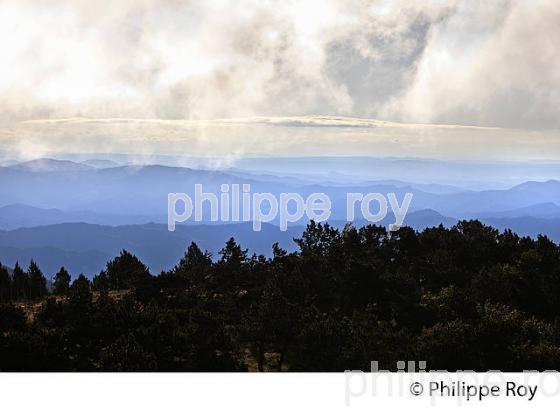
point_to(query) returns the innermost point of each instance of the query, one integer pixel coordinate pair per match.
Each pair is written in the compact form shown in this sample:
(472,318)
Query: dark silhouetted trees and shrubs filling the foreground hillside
(462,298)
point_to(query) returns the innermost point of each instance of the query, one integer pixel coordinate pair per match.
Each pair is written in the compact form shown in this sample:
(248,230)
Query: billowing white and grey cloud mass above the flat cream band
(477,63)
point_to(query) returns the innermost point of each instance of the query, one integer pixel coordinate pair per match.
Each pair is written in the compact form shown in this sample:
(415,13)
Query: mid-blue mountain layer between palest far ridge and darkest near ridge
(143,190)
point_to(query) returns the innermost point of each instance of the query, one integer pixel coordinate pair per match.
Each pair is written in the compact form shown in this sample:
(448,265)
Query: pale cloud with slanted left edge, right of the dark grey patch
(489,63)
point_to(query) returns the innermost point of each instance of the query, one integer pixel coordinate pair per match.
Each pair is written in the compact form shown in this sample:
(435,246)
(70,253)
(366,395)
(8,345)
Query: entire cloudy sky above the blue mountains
(472,79)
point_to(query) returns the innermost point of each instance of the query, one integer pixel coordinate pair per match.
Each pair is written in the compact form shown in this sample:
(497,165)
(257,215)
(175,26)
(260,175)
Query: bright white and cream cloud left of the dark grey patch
(166,59)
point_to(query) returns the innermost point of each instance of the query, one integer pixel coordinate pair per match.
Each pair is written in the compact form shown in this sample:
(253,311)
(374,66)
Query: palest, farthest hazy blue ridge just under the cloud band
(465,174)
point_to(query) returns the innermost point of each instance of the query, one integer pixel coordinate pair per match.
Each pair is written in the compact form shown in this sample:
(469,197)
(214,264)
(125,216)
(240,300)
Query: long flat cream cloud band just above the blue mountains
(273,136)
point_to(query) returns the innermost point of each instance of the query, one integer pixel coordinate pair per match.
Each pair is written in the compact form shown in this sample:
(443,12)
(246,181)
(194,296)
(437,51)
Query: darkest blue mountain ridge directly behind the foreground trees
(86,248)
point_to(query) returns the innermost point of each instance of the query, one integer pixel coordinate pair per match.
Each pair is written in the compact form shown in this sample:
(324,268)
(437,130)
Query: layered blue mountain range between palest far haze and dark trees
(81,214)
